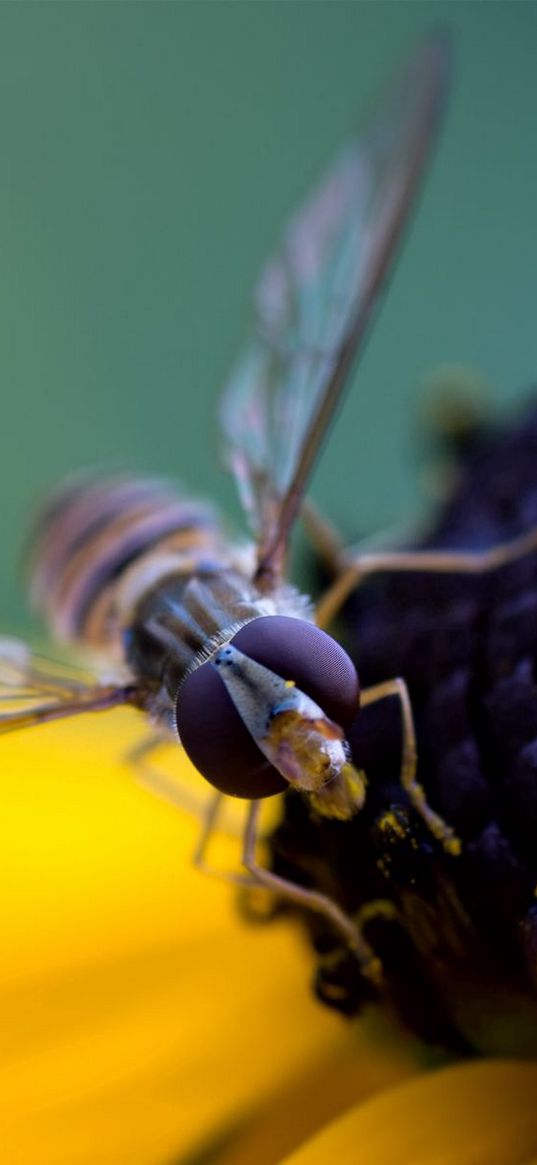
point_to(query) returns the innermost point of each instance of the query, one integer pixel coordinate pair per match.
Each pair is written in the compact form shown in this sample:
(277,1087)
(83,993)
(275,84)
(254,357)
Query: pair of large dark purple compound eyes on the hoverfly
(210,728)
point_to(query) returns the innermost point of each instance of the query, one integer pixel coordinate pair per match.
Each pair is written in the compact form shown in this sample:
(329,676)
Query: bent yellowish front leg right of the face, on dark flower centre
(409,760)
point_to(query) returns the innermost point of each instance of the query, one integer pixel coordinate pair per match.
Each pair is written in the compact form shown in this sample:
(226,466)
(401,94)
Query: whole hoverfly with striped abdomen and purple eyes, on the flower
(218,649)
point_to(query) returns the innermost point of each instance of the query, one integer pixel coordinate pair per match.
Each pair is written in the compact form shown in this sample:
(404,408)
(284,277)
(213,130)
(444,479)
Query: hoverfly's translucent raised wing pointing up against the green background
(315,299)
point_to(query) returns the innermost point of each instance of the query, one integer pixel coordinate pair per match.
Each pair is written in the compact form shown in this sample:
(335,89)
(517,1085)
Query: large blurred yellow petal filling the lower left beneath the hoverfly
(140,1019)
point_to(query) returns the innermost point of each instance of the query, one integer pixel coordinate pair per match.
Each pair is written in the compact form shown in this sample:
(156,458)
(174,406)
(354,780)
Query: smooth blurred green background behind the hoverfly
(150,153)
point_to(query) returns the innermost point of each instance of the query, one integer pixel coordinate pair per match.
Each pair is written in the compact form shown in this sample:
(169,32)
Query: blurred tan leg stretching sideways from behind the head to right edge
(432,562)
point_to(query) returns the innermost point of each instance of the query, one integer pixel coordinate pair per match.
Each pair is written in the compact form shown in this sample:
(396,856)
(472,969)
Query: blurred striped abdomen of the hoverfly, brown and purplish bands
(103,546)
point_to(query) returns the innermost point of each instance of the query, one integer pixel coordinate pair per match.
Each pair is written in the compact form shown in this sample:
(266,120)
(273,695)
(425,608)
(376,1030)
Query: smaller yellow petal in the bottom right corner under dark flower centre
(475,1114)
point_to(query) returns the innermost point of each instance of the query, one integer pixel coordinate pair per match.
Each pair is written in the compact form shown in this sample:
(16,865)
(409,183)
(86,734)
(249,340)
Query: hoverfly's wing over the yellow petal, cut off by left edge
(36,690)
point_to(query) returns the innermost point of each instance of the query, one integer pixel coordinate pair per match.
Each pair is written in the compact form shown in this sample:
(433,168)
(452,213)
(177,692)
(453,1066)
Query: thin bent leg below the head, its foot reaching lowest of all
(312,900)
